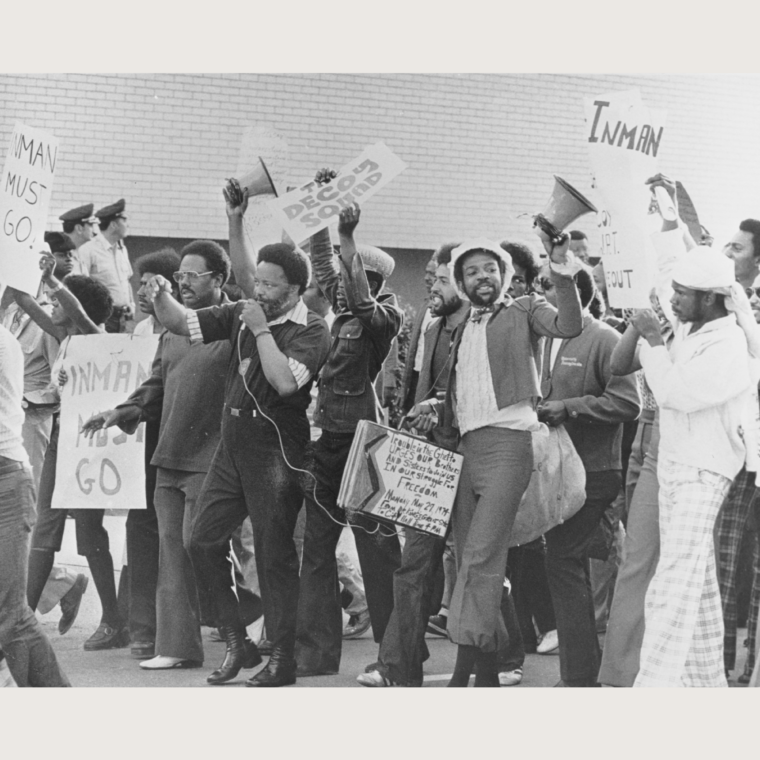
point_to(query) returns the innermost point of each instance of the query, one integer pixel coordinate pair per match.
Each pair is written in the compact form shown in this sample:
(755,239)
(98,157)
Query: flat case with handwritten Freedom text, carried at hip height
(399,478)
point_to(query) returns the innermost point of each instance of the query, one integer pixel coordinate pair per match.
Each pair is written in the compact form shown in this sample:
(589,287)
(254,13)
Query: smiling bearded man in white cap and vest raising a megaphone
(491,397)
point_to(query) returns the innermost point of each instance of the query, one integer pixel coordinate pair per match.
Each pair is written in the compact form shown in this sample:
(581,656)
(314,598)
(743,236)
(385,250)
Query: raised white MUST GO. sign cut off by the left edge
(26,185)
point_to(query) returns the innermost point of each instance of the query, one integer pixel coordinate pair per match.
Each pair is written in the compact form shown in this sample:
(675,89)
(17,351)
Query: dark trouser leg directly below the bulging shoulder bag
(526,569)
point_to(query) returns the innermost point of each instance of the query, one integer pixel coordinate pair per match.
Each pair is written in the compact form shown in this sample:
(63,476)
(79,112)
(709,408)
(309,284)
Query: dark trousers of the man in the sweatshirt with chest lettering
(567,568)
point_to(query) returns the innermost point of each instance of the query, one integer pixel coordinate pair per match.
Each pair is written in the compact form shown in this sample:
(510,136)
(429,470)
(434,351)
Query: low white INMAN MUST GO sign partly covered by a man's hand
(108,470)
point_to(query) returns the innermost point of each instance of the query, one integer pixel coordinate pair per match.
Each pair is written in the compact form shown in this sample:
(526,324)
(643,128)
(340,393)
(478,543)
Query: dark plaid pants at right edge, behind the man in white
(731,526)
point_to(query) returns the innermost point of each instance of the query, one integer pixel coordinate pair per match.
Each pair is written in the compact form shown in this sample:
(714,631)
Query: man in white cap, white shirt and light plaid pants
(703,388)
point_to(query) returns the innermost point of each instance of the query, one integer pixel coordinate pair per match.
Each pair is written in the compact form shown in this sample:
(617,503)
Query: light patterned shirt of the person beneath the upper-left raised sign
(39,349)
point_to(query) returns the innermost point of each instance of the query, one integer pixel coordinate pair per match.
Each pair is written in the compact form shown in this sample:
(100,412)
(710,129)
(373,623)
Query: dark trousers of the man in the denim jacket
(320,625)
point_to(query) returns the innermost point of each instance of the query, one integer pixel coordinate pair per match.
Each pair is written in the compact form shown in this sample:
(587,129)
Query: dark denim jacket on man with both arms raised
(362,335)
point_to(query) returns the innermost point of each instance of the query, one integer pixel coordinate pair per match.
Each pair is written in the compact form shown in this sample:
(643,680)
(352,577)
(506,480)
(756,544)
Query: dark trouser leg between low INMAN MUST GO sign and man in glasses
(142,552)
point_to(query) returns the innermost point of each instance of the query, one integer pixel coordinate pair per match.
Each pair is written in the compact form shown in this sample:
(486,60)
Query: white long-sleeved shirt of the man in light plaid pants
(703,387)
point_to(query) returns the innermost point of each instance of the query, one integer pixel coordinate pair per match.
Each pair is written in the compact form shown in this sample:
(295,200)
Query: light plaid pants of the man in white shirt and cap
(683,638)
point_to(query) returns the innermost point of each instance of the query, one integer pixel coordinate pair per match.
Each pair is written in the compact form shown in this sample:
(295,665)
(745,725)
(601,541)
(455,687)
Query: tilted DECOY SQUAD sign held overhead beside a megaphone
(312,207)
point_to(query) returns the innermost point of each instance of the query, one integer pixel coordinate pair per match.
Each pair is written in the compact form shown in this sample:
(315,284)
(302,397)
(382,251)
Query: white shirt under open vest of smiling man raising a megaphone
(476,399)
